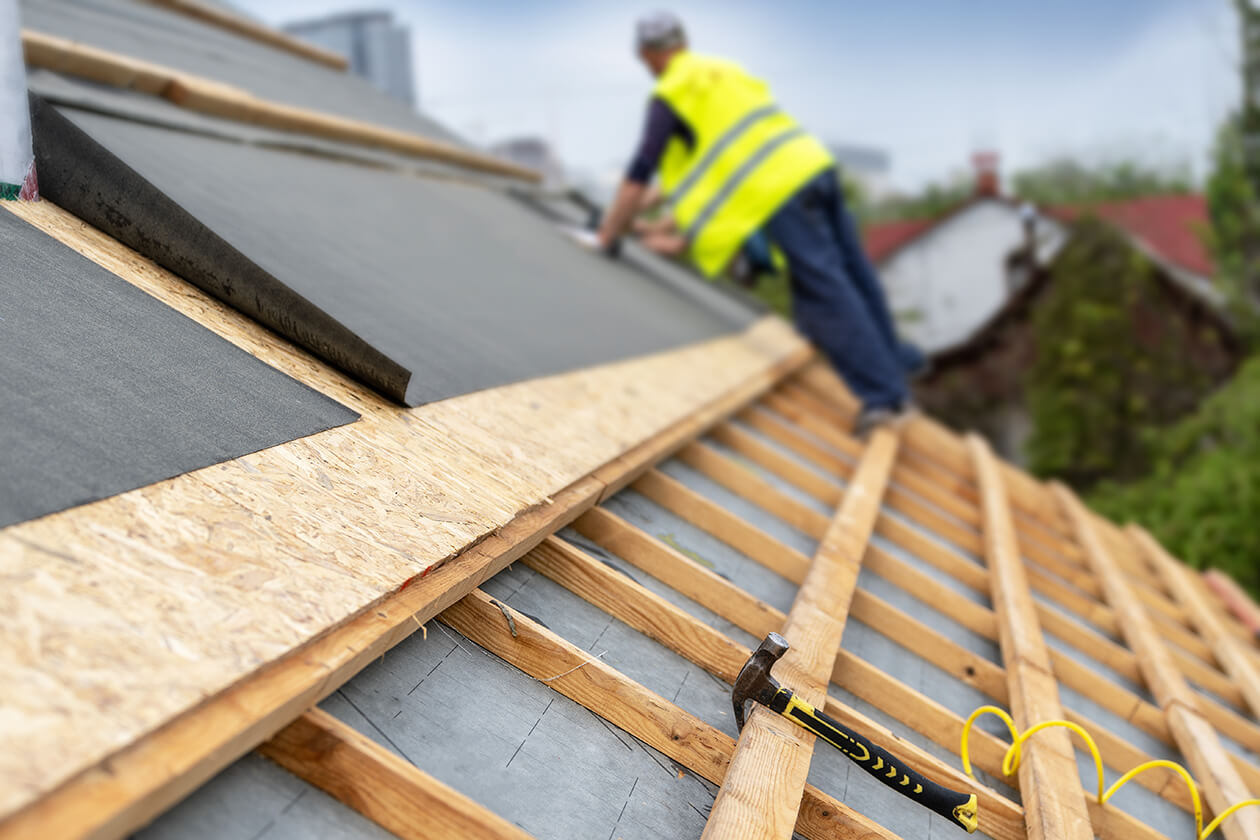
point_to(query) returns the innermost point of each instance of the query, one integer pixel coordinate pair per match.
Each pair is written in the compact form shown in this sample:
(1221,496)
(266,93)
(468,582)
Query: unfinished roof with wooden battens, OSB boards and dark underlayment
(348,499)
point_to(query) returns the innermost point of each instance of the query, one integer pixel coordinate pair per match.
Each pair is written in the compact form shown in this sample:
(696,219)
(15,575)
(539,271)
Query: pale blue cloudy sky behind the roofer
(931,82)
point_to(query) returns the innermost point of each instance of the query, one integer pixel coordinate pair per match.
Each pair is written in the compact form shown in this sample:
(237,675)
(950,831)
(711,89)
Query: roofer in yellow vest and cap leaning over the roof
(731,164)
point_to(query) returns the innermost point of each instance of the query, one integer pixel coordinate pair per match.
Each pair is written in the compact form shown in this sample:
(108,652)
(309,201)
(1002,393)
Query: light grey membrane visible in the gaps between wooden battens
(555,769)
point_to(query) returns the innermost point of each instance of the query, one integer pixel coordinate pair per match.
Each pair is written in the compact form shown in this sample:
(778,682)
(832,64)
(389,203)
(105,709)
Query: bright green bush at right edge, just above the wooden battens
(1203,497)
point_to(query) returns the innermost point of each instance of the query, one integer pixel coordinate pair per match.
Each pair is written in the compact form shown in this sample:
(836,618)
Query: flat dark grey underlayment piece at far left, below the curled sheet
(105,390)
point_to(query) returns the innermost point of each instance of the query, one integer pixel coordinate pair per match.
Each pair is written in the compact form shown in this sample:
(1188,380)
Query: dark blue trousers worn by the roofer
(839,303)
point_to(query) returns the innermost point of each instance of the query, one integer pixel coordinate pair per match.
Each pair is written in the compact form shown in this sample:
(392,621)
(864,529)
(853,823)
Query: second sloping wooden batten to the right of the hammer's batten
(1196,739)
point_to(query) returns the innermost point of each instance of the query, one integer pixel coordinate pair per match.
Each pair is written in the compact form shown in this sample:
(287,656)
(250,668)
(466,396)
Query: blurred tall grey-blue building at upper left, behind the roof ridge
(377,48)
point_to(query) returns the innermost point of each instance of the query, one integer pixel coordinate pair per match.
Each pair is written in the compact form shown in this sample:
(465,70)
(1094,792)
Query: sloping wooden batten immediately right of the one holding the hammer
(1055,807)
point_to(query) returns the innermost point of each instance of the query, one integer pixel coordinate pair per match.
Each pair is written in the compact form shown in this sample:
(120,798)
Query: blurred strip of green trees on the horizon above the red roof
(1065,181)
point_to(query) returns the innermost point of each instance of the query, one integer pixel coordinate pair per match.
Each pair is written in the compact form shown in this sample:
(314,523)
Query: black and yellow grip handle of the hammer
(958,808)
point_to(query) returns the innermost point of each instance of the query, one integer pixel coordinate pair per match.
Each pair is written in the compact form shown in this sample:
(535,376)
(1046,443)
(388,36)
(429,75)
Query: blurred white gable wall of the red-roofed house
(952,279)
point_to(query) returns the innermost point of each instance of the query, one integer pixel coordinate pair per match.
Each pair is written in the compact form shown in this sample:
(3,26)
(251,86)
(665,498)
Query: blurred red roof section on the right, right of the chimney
(1170,226)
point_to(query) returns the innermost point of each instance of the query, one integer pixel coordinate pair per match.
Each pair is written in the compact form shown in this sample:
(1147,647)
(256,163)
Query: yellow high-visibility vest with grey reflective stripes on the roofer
(748,161)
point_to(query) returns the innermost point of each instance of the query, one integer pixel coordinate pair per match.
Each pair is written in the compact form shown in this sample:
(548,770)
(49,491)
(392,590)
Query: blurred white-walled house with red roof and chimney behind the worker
(966,285)
